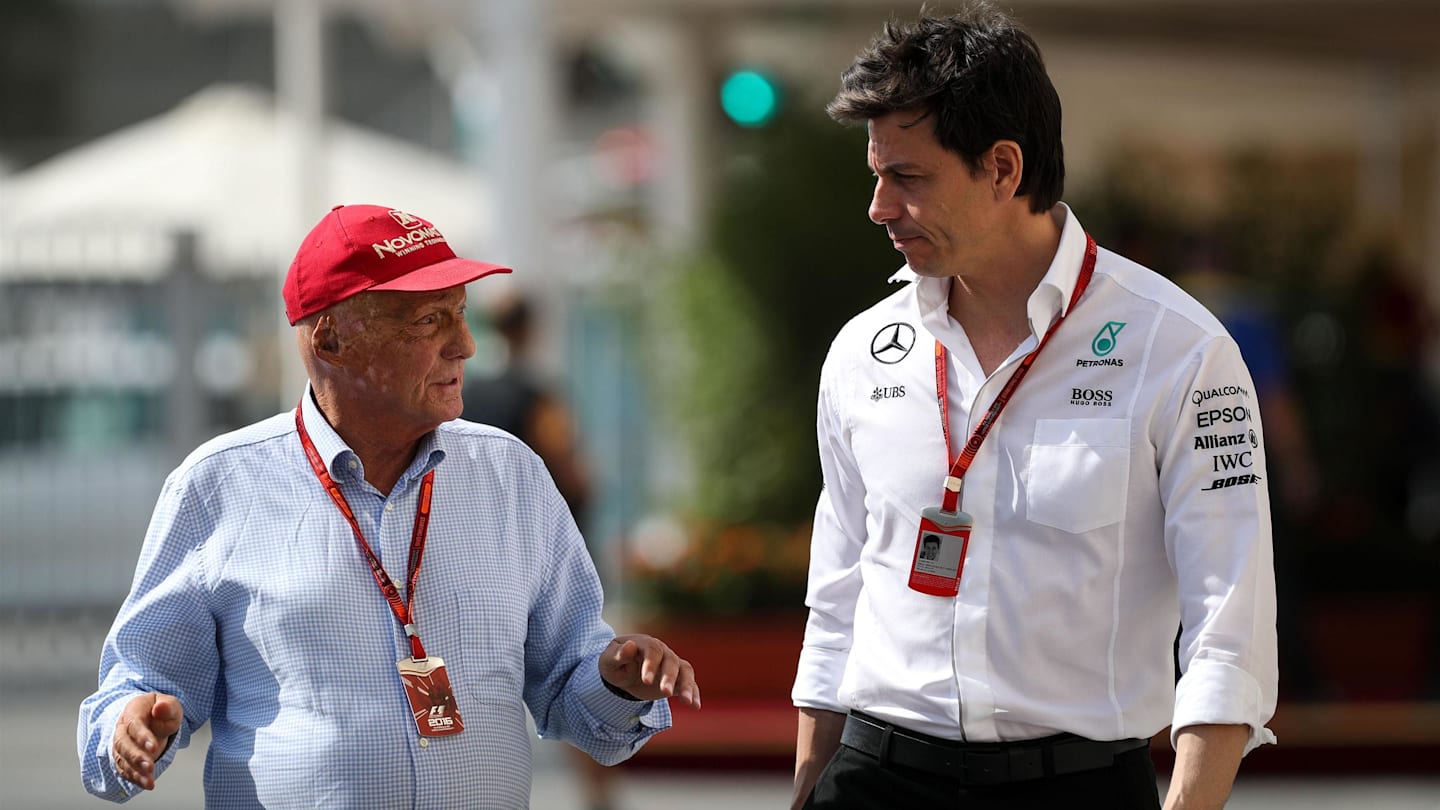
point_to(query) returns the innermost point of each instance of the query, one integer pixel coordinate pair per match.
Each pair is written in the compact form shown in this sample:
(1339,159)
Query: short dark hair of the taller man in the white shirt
(980,77)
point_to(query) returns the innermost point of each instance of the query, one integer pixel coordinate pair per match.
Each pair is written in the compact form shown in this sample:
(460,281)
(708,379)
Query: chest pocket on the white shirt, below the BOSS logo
(1079,473)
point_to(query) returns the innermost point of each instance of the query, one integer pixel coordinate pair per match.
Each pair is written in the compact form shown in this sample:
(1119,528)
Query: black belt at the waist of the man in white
(981,763)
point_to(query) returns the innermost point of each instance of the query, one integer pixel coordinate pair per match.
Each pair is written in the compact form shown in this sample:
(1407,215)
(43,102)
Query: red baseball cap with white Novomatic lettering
(371,247)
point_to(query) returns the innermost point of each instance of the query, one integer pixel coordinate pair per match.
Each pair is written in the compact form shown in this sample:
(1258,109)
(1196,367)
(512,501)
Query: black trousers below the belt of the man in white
(858,782)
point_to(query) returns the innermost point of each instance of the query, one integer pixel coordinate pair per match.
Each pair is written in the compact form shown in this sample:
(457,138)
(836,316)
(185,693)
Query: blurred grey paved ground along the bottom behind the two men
(38,772)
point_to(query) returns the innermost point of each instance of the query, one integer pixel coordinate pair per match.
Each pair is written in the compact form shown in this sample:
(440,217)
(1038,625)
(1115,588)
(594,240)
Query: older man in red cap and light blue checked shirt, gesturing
(364,596)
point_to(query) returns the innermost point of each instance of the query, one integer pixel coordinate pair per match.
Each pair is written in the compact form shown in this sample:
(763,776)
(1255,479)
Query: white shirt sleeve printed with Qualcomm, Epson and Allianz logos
(1218,535)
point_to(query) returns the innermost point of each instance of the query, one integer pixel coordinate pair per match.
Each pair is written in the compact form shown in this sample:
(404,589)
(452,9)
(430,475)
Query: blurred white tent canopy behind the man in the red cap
(218,166)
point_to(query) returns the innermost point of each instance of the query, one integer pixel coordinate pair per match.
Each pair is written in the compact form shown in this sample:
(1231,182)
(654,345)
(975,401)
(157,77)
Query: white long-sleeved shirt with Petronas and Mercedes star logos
(1121,494)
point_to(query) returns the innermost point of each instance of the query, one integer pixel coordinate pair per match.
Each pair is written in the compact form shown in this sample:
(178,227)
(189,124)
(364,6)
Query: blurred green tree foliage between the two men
(793,257)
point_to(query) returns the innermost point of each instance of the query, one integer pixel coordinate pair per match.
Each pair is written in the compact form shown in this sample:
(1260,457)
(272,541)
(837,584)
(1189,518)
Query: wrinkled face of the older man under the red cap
(405,357)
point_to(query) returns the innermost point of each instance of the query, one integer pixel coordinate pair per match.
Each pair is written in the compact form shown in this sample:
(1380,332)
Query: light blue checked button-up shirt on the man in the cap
(254,606)
